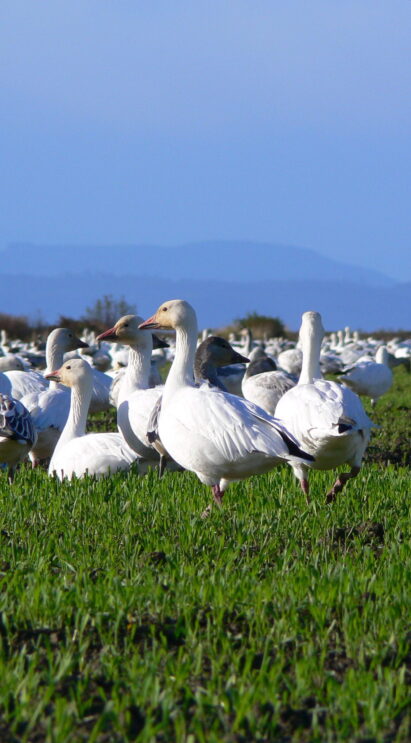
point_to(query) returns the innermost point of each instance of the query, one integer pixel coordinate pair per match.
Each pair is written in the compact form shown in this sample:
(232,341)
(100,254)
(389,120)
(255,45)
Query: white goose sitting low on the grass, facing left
(77,453)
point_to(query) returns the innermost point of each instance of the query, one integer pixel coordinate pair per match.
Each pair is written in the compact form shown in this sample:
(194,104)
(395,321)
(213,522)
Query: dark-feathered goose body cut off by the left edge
(17,432)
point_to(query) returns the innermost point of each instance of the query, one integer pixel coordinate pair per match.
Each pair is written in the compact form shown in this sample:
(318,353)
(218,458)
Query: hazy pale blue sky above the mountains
(170,121)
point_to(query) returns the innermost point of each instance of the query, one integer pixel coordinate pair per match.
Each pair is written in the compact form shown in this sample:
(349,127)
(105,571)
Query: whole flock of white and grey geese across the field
(226,410)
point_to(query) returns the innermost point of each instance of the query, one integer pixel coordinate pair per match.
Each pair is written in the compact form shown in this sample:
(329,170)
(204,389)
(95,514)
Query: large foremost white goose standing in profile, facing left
(218,436)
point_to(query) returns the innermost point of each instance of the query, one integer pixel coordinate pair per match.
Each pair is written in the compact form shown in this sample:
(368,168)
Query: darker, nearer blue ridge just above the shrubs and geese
(217,303)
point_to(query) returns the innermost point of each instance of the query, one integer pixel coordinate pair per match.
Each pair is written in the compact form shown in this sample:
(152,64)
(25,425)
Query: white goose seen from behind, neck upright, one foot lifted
(327,418)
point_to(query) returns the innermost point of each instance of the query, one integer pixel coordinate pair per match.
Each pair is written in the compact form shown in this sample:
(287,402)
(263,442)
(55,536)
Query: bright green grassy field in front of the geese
(124,616)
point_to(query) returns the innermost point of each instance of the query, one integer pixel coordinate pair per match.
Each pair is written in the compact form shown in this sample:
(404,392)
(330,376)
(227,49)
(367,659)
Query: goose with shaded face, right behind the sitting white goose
(49,408)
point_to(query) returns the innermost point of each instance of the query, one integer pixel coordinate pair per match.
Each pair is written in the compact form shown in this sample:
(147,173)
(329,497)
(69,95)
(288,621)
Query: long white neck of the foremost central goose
(181,373)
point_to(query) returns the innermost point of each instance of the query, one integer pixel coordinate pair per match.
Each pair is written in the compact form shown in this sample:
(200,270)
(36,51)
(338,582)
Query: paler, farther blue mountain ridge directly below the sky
(229,261)
